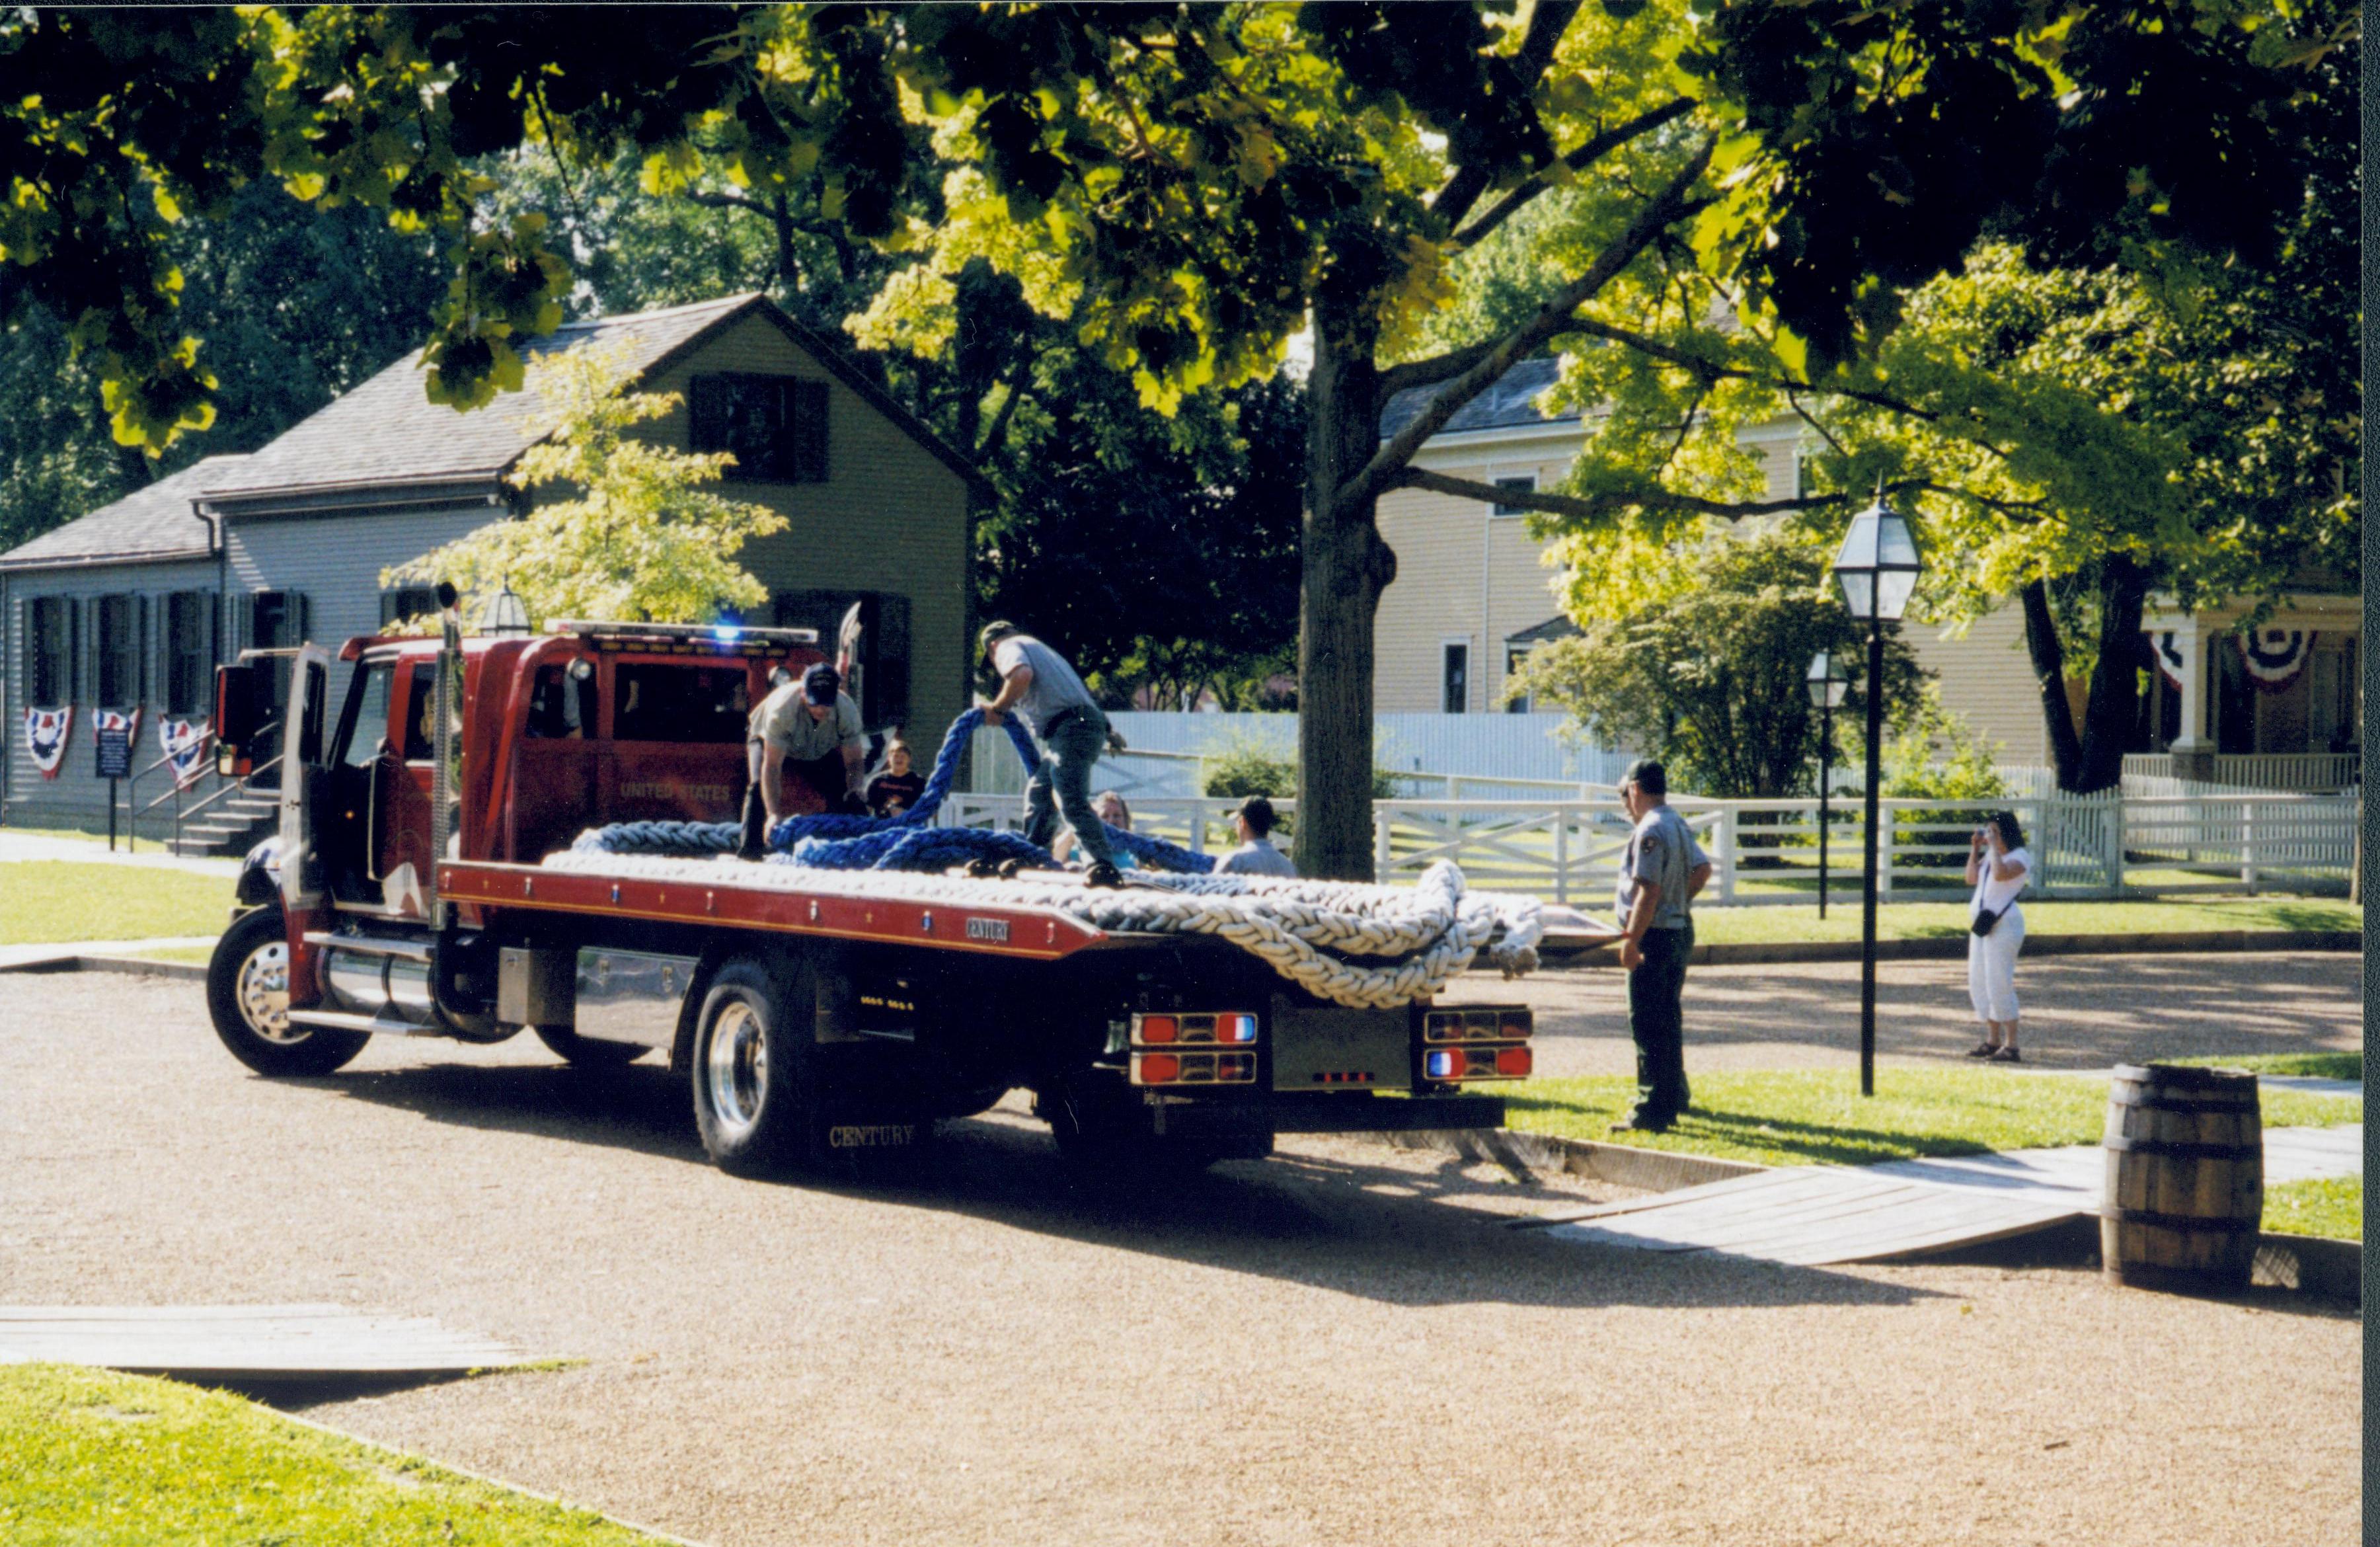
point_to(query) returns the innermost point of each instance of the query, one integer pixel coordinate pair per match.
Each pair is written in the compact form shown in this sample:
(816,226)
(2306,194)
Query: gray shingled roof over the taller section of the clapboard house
(389,434)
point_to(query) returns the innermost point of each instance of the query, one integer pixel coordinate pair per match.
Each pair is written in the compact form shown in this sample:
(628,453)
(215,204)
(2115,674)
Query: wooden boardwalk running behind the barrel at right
(1841,1215)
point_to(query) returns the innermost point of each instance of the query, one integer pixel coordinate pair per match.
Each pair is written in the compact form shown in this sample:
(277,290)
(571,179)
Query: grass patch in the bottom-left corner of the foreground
(106,1460)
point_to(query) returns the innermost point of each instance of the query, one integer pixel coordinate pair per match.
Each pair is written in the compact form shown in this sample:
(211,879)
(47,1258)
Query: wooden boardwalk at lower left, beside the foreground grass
(246,1344)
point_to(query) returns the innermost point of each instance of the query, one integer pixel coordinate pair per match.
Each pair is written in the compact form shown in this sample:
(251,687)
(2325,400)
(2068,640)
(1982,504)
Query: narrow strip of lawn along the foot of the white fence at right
(1948,920)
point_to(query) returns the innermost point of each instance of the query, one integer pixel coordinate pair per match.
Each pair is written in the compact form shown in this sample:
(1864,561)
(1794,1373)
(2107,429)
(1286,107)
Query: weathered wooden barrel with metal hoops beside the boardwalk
(2184,1179)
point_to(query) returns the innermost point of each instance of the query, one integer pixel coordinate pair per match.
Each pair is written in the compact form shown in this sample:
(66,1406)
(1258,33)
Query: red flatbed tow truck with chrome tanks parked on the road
(815,1013)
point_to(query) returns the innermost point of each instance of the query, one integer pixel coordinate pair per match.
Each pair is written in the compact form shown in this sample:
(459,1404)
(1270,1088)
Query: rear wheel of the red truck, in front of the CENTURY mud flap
(751,1067)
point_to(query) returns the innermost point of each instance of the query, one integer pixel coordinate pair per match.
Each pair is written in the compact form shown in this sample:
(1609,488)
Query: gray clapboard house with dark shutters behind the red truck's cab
(132,606)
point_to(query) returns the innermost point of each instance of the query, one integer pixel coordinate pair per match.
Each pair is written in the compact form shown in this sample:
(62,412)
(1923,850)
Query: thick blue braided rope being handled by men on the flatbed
(887,844)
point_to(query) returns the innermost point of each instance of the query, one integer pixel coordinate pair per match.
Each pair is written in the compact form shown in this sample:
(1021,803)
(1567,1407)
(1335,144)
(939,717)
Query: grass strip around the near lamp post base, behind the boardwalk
(1820,1117)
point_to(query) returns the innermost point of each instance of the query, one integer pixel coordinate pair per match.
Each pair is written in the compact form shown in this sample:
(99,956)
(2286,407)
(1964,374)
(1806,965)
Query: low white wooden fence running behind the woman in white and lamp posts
(1767,851)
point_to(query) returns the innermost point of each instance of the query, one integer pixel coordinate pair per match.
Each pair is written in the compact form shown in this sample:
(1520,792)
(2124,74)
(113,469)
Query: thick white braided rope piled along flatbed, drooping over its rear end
(1303,929)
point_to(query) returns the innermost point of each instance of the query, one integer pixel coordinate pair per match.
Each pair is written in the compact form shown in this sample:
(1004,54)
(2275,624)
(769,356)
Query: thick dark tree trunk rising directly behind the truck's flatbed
(1344,572)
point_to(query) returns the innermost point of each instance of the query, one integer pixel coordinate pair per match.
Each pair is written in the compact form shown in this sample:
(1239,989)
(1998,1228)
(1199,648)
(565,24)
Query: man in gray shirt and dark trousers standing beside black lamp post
(1660,875)
